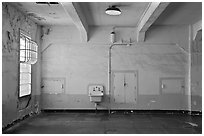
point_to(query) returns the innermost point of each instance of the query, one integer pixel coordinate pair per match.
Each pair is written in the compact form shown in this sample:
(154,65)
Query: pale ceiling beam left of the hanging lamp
(74,11)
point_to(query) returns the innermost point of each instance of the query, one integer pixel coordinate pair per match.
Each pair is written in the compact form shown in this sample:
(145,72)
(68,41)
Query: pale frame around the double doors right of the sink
(112,82)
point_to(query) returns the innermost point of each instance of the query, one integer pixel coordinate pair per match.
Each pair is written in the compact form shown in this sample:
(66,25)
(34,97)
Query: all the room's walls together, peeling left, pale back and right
(164,54)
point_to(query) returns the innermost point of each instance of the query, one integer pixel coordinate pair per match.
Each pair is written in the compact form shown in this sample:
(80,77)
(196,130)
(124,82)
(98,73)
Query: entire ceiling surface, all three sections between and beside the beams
(176,13)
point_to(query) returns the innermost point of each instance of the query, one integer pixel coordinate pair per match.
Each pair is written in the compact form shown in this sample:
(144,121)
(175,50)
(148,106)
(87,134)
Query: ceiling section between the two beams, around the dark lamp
(131,13)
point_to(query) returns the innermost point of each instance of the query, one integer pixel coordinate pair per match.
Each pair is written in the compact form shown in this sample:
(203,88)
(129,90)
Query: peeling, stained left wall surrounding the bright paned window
(12,20)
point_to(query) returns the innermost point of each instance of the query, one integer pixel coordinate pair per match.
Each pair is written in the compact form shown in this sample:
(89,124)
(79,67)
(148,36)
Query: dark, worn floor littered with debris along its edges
(104,123)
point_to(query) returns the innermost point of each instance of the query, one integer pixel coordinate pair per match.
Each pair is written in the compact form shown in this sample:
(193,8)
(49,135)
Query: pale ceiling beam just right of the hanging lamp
(150,15)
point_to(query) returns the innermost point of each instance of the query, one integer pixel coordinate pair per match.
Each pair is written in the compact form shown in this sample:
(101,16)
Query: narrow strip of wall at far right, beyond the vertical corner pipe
(196,72)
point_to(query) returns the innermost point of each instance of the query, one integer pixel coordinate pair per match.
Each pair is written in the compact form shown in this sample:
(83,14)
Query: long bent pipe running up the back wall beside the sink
(109,69)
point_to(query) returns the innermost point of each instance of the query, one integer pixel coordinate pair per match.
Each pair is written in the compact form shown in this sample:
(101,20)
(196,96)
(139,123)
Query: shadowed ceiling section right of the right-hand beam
(180,13)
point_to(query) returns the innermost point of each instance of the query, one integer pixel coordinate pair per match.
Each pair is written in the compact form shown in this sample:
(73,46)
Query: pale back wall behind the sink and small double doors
(164,54)
